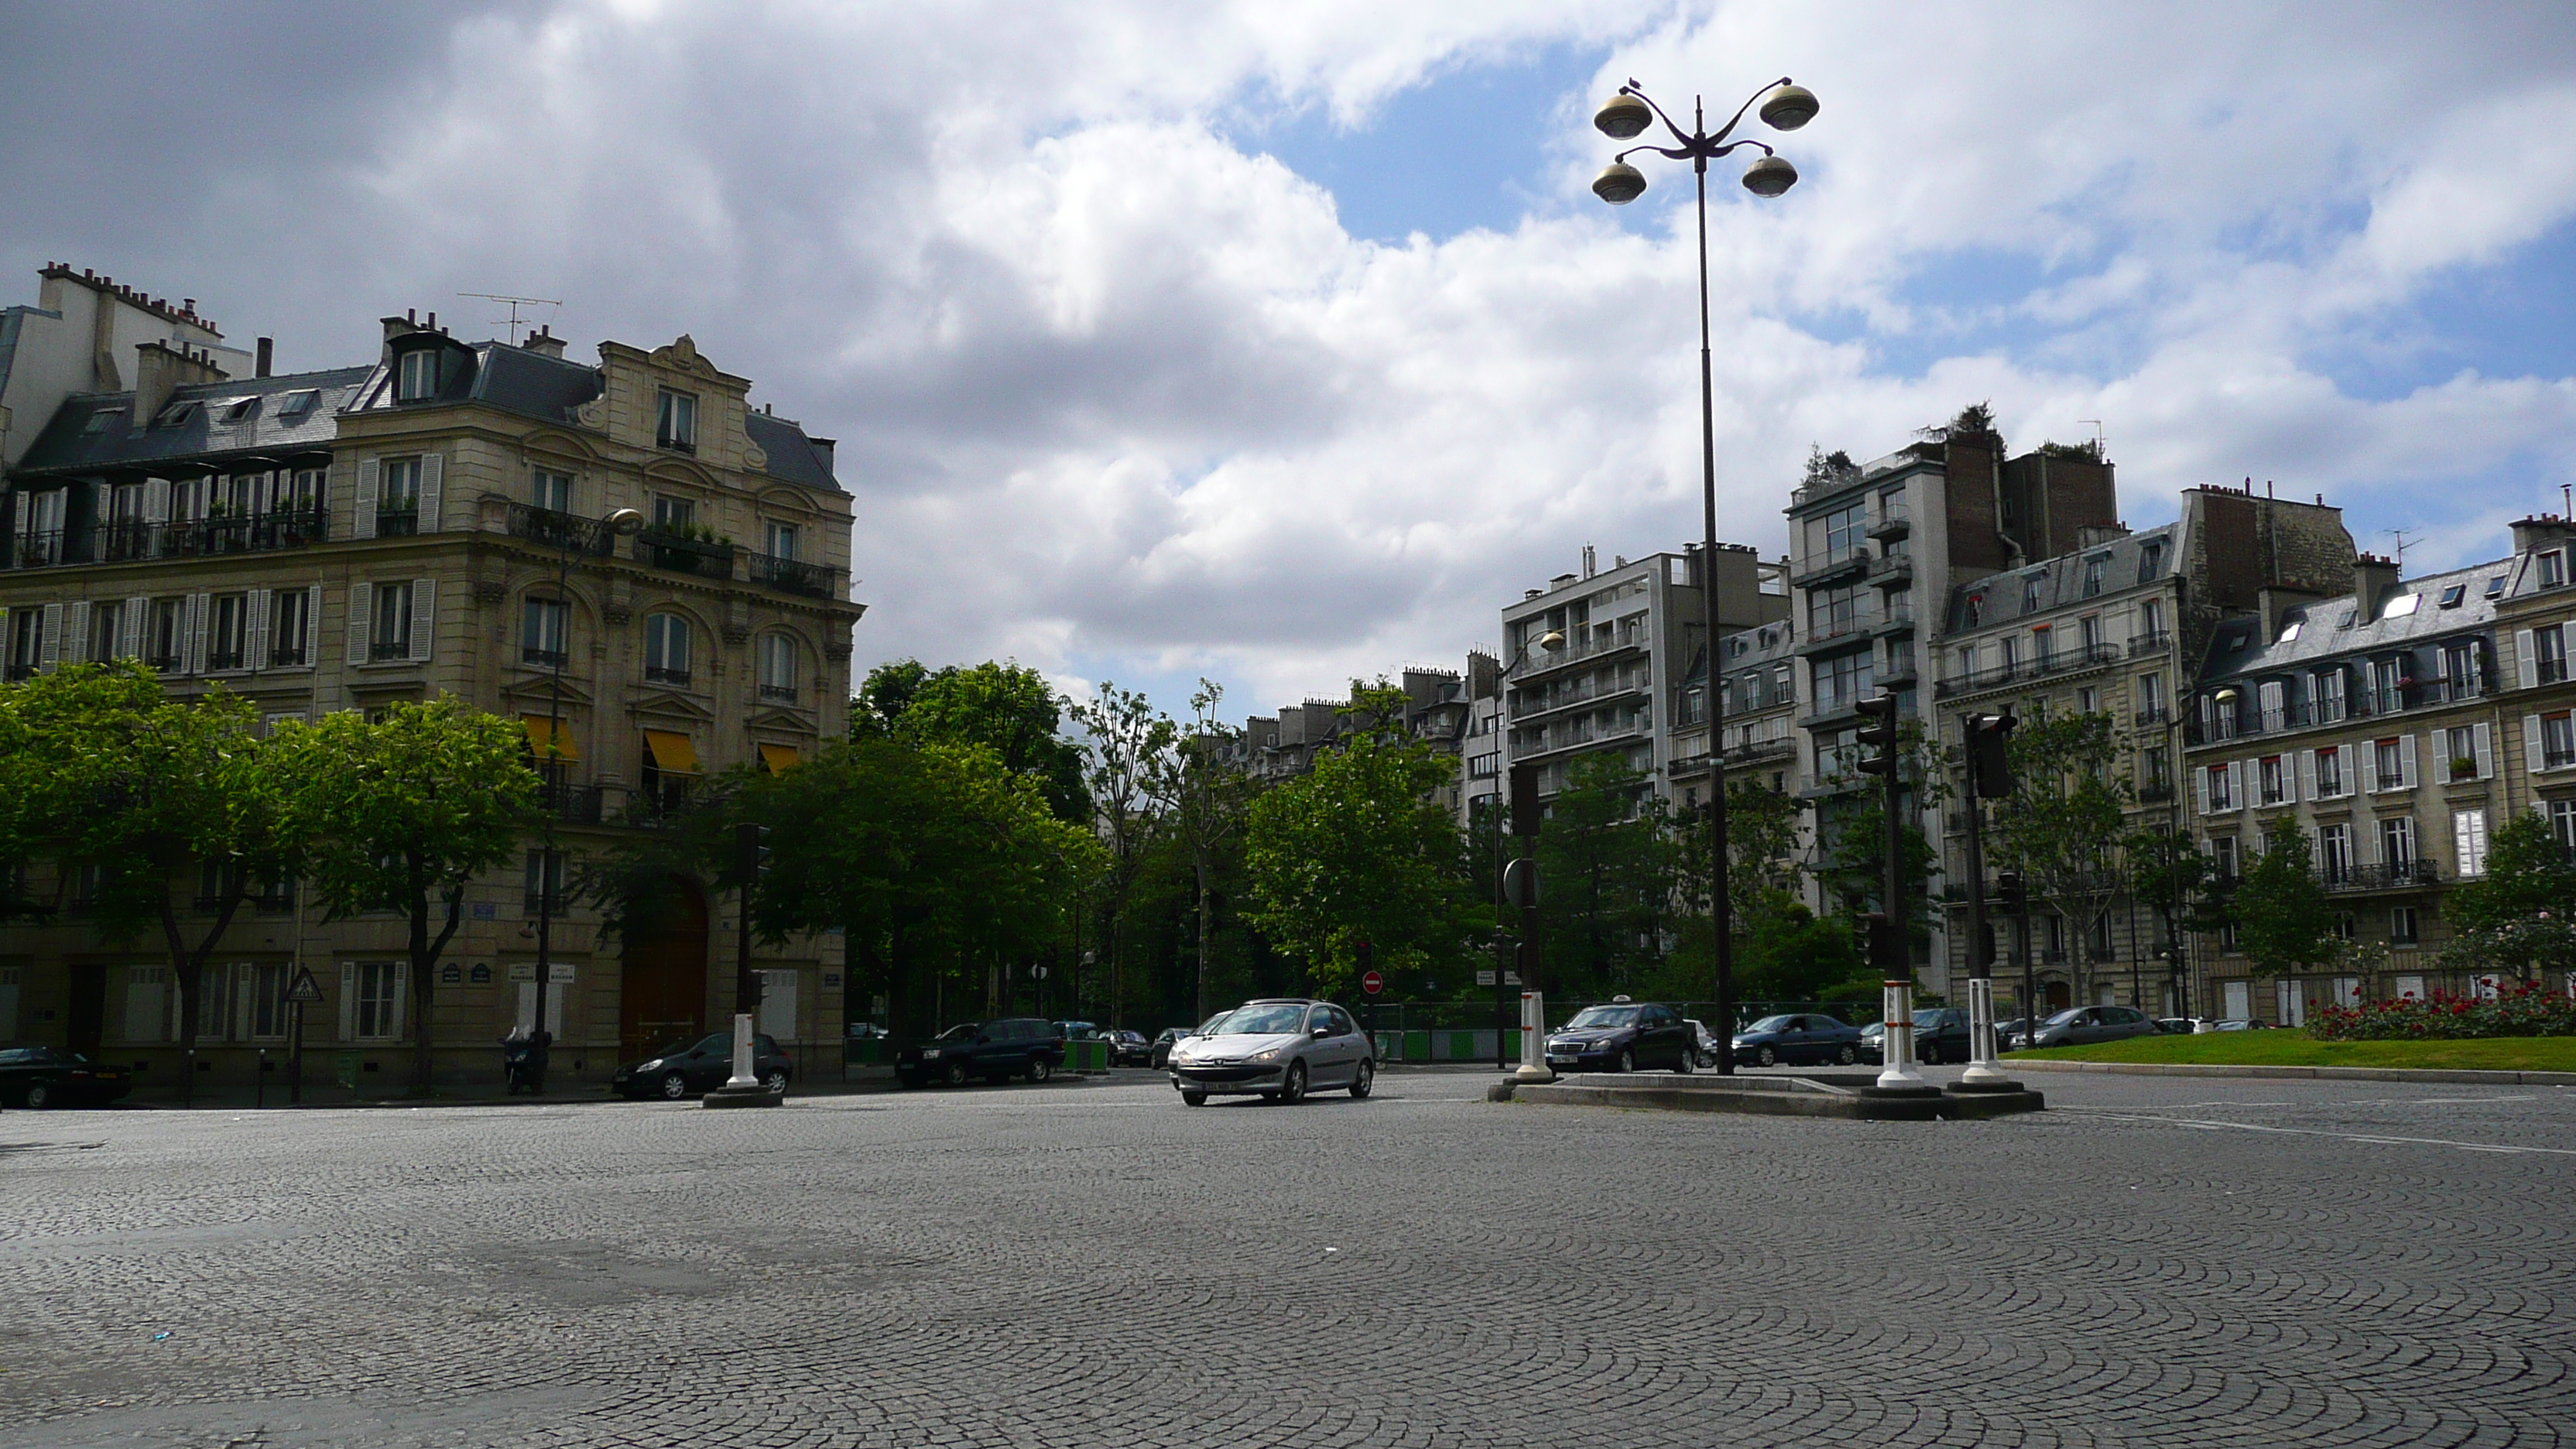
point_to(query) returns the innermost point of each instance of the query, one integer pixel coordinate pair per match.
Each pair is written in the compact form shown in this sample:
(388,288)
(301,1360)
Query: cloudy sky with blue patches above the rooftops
(1284,342)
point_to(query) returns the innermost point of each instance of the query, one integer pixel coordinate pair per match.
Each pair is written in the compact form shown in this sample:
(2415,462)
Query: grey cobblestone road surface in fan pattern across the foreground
(2152,1262)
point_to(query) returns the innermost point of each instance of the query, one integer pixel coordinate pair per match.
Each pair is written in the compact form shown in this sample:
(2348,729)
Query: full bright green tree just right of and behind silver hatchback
(1356,852)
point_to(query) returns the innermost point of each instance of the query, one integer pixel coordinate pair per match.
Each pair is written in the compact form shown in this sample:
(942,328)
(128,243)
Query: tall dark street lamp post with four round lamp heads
(1624,117)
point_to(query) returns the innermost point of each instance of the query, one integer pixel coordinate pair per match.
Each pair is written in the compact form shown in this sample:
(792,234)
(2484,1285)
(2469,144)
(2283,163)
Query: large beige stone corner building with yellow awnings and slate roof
(398,530)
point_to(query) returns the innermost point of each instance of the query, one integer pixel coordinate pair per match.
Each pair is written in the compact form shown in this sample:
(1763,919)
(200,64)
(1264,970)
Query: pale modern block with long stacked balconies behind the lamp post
(1629,641)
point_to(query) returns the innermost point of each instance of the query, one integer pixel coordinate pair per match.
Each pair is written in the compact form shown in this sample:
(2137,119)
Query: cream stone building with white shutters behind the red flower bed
(2400,726)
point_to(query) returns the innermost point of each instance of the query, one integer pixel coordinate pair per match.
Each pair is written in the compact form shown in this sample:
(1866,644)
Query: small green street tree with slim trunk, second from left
(403,813)
